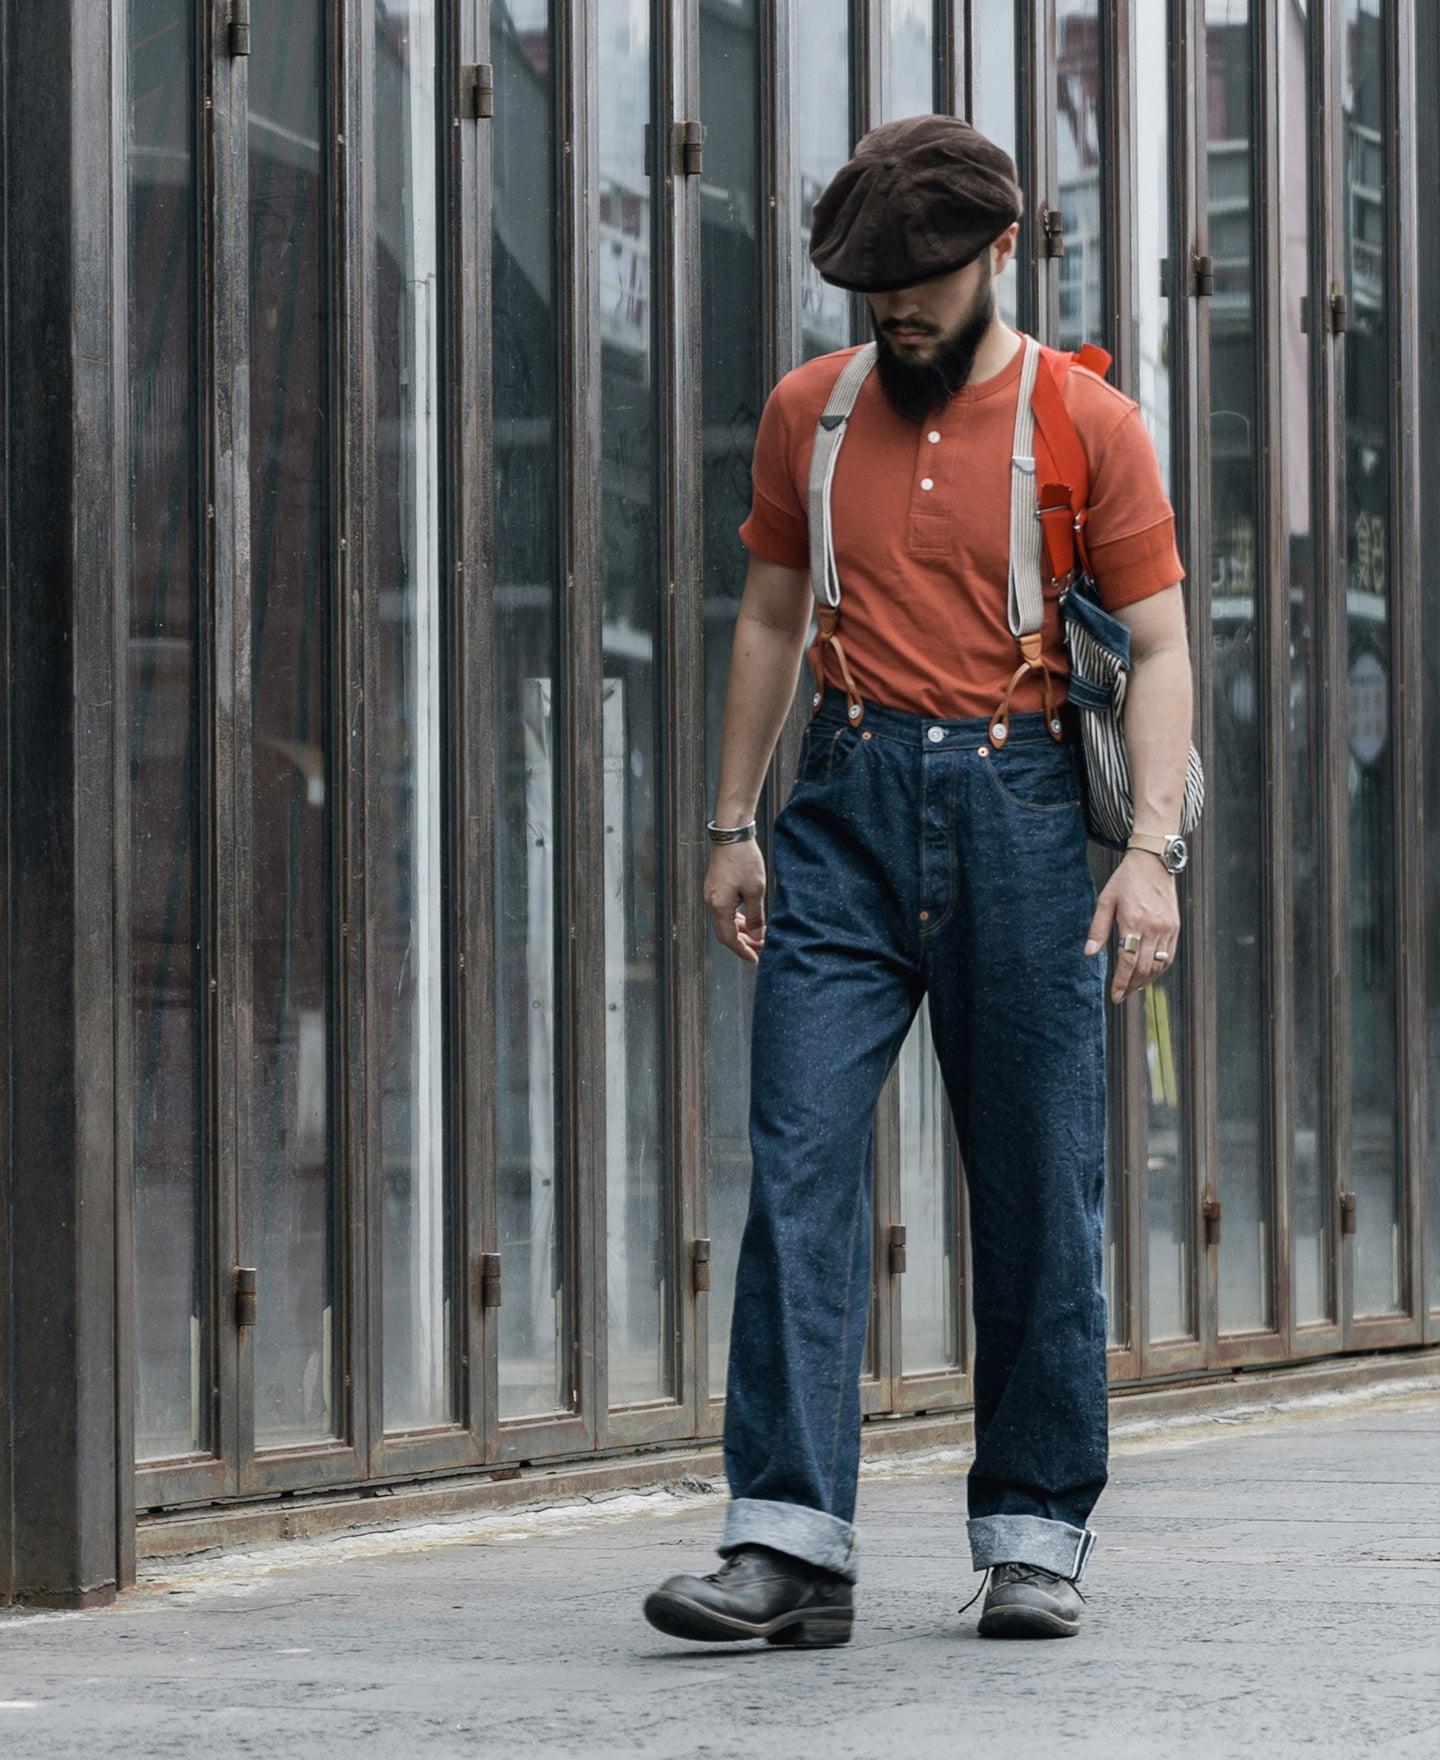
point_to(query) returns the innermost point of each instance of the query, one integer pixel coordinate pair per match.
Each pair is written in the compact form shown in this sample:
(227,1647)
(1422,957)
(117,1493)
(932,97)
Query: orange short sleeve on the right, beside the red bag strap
(1131,525)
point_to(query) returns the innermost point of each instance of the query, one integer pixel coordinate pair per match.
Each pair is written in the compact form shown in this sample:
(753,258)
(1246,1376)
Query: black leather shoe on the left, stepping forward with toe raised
(758,1594)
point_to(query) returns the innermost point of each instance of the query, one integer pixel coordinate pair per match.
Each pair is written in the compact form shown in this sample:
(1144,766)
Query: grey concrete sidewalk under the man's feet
(1261,1588)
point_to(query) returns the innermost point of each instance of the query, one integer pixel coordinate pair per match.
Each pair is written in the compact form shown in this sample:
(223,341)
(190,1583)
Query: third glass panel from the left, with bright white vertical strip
(406,846)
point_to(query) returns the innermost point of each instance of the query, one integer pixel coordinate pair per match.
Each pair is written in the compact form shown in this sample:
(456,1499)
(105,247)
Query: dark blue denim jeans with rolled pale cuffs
(913,860)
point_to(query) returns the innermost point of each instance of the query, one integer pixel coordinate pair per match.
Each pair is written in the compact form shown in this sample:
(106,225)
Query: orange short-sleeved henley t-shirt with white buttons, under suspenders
(923,531)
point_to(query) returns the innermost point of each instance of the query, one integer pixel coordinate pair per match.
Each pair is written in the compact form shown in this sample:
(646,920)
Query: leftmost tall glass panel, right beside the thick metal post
(168,923)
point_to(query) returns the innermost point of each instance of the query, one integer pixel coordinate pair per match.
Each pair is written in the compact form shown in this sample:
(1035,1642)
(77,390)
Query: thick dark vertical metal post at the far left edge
(64,608)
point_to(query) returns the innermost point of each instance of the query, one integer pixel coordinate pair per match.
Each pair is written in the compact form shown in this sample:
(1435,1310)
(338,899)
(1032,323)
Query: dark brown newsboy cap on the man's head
(920,198)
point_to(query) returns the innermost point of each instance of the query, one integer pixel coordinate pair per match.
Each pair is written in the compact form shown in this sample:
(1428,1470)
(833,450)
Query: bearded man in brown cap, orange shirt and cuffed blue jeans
(922,856)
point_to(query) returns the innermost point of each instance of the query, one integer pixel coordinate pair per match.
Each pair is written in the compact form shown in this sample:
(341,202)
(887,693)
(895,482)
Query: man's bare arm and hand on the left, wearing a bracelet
(765,661)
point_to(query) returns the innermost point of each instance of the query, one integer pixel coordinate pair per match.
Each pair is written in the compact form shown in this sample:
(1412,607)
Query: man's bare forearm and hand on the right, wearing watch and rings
(1142,895)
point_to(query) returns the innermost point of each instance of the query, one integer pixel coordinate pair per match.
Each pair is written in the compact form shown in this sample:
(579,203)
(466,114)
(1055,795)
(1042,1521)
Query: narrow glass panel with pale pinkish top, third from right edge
(1311,1205)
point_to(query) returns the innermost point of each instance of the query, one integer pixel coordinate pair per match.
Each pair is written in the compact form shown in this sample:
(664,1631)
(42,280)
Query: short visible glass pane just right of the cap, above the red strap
(1080,152)
